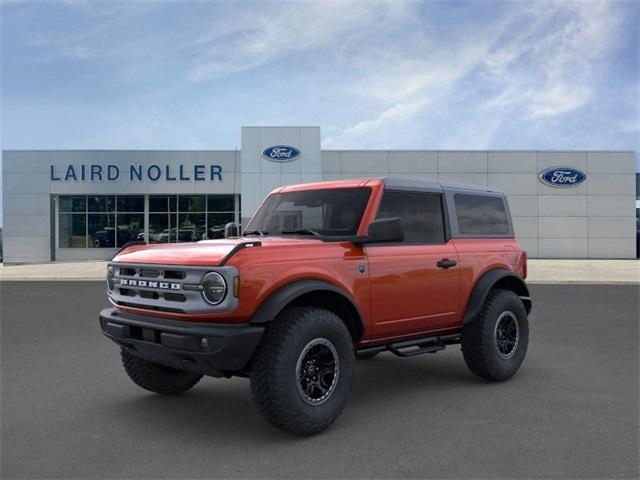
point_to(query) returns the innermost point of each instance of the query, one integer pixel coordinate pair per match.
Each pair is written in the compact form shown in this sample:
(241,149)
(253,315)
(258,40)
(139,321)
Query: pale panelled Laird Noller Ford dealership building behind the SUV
(62,205)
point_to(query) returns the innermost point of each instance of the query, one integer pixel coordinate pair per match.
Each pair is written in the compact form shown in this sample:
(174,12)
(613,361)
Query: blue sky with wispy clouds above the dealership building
(373,74)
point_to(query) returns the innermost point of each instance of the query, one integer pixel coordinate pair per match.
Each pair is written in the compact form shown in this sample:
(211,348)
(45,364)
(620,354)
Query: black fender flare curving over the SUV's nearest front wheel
(278,300)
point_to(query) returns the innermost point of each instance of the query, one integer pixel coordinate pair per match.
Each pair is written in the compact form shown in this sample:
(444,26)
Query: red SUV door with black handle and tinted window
(415,283)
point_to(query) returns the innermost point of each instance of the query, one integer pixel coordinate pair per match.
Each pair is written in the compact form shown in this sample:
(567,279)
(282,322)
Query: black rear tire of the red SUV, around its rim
(479,344)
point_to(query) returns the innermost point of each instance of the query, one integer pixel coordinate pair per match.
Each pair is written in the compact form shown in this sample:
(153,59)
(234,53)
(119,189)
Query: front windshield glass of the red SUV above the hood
(328,212)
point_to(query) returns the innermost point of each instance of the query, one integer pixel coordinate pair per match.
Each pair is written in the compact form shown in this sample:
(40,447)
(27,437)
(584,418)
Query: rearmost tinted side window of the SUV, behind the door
(481,215)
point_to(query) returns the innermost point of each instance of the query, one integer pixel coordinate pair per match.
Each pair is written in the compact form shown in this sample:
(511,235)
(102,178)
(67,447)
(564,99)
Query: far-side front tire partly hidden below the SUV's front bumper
(157,378)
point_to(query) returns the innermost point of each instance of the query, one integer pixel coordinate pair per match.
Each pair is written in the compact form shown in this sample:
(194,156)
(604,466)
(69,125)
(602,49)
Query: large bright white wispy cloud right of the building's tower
(538,60)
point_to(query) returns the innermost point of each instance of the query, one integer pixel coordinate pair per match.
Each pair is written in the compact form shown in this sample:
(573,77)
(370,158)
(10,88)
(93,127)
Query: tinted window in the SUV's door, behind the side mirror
(421,215)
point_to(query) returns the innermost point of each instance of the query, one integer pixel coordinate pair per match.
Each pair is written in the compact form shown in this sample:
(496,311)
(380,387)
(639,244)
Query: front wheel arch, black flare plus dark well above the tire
(316,293)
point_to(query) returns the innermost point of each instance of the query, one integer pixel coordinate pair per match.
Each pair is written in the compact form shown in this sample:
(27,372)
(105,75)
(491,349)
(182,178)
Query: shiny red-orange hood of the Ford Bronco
(204,253)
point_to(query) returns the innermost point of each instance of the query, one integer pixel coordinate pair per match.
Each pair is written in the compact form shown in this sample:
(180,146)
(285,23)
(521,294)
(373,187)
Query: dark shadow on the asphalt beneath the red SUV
(221,408)
